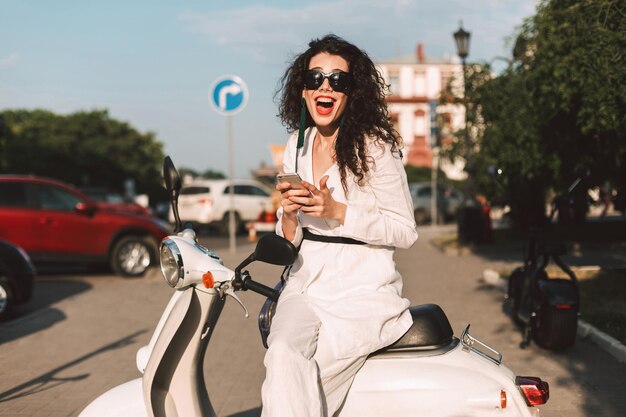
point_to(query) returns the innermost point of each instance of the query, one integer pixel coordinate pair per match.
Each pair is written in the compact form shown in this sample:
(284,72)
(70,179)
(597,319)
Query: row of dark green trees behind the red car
(83,148)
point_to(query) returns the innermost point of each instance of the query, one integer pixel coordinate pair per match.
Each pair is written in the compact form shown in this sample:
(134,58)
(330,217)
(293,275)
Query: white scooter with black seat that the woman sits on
(428,372)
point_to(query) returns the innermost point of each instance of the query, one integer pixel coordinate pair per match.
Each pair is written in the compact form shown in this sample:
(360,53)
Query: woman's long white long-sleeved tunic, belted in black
(355,289)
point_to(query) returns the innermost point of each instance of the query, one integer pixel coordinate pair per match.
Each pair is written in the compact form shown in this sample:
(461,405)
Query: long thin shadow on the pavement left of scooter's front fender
(50,379)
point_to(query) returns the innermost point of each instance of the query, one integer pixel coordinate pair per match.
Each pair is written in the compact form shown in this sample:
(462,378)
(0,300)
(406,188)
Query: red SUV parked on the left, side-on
(54,222)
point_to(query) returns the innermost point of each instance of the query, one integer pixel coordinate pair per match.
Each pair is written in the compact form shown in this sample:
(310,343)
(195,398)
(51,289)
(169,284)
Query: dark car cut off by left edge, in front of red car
(17,274)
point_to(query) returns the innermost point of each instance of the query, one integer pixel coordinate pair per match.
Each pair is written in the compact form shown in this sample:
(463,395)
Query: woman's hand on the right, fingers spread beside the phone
(320,203)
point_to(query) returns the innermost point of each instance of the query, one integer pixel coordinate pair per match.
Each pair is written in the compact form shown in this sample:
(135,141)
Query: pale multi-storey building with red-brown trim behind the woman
(415,84)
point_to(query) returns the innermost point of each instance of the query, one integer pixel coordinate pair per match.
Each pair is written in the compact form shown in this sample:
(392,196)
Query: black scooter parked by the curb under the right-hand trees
(546,307)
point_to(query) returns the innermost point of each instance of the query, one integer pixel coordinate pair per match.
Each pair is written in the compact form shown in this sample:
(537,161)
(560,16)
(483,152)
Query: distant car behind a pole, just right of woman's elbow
(448,202)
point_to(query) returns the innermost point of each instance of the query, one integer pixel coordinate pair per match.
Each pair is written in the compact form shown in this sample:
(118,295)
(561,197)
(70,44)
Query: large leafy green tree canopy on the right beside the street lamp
(557,107)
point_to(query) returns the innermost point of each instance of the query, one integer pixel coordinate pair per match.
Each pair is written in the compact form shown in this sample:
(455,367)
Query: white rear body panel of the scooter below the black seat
(456,383)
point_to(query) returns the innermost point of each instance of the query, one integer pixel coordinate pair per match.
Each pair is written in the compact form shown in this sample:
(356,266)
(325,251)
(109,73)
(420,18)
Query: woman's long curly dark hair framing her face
(366,113)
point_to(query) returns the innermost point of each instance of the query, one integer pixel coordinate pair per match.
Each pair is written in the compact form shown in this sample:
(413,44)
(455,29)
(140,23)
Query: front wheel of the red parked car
(131,256)
